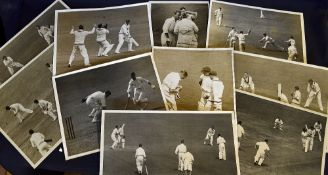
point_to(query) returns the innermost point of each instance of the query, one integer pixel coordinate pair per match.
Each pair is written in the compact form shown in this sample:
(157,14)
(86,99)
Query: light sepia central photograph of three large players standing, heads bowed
(201,79)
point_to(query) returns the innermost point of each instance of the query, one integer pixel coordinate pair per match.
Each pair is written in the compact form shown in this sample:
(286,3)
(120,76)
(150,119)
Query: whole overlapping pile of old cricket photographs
(167,87)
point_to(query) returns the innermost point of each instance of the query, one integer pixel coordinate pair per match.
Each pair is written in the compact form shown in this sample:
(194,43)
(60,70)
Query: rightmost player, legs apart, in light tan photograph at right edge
(313,92)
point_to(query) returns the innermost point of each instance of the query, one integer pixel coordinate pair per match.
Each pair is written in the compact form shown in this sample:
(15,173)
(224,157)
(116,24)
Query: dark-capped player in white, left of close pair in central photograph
(206,88)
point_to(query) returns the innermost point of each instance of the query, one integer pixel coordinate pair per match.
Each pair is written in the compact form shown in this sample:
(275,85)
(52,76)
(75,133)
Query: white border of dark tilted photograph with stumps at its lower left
(60,119)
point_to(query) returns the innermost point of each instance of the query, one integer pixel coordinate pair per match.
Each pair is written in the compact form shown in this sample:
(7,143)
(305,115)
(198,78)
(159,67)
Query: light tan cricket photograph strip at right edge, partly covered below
(297,84)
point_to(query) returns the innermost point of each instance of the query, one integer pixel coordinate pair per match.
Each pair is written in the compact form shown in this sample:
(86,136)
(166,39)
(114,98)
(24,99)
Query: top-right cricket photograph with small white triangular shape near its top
(257,30)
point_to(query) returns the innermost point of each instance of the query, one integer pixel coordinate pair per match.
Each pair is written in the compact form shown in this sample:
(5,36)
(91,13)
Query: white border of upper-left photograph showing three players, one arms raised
(96,10)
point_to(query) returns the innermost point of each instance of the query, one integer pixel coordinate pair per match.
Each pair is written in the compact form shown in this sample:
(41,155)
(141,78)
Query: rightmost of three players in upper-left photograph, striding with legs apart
(124,35)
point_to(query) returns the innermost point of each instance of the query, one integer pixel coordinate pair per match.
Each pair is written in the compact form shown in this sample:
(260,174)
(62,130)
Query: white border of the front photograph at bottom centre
(233,122)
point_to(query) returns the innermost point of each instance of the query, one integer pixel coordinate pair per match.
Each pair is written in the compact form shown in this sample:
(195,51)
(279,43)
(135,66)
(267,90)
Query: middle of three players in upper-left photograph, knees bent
(104,45)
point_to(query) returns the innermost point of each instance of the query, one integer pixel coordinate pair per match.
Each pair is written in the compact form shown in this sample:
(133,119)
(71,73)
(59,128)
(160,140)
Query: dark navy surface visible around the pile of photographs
(15,14)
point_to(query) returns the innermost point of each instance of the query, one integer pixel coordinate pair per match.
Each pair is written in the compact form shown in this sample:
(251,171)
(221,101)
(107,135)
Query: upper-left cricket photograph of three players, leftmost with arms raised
(88,37)
